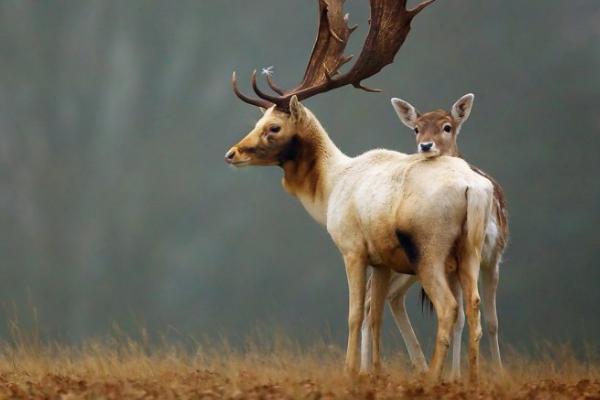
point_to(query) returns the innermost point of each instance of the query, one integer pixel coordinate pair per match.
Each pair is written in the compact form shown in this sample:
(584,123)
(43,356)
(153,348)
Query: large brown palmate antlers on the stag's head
(389,26)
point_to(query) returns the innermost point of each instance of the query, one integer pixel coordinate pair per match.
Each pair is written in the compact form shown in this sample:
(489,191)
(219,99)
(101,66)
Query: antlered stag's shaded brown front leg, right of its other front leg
(379,289)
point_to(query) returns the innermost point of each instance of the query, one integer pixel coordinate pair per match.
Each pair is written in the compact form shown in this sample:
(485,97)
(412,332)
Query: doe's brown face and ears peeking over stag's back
(435,131)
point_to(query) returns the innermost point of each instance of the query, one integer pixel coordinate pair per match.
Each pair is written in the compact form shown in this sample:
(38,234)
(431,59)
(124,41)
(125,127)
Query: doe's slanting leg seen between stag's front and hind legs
(400,283)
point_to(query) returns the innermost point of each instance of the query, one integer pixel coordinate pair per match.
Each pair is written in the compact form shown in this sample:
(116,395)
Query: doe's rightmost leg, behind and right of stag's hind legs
(489,282)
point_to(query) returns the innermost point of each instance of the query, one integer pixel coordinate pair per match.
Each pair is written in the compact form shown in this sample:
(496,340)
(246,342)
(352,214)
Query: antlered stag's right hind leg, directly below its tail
(468,272)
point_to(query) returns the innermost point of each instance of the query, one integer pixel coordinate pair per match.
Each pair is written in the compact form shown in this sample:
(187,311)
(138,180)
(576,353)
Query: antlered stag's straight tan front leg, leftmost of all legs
(356,274)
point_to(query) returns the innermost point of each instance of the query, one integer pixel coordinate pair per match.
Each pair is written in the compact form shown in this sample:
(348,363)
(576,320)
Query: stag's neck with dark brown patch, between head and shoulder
(310,165)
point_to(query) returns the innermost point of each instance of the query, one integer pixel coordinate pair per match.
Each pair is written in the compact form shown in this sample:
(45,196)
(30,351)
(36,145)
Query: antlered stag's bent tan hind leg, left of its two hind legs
(435,283)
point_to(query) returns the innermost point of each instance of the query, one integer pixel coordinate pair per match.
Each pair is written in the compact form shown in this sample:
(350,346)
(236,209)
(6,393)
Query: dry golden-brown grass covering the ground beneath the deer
(123,368)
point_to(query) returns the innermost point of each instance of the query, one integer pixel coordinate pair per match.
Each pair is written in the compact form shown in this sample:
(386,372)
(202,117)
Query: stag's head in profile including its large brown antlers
(276,135)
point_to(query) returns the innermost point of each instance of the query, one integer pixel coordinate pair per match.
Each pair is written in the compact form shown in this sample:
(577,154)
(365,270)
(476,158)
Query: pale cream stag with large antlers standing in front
(382,208)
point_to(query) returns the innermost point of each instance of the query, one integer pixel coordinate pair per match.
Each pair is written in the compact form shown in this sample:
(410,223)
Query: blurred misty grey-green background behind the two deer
(116,207)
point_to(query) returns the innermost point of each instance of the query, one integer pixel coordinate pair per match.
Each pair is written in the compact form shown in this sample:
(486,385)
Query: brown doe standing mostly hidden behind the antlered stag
(436,133)
